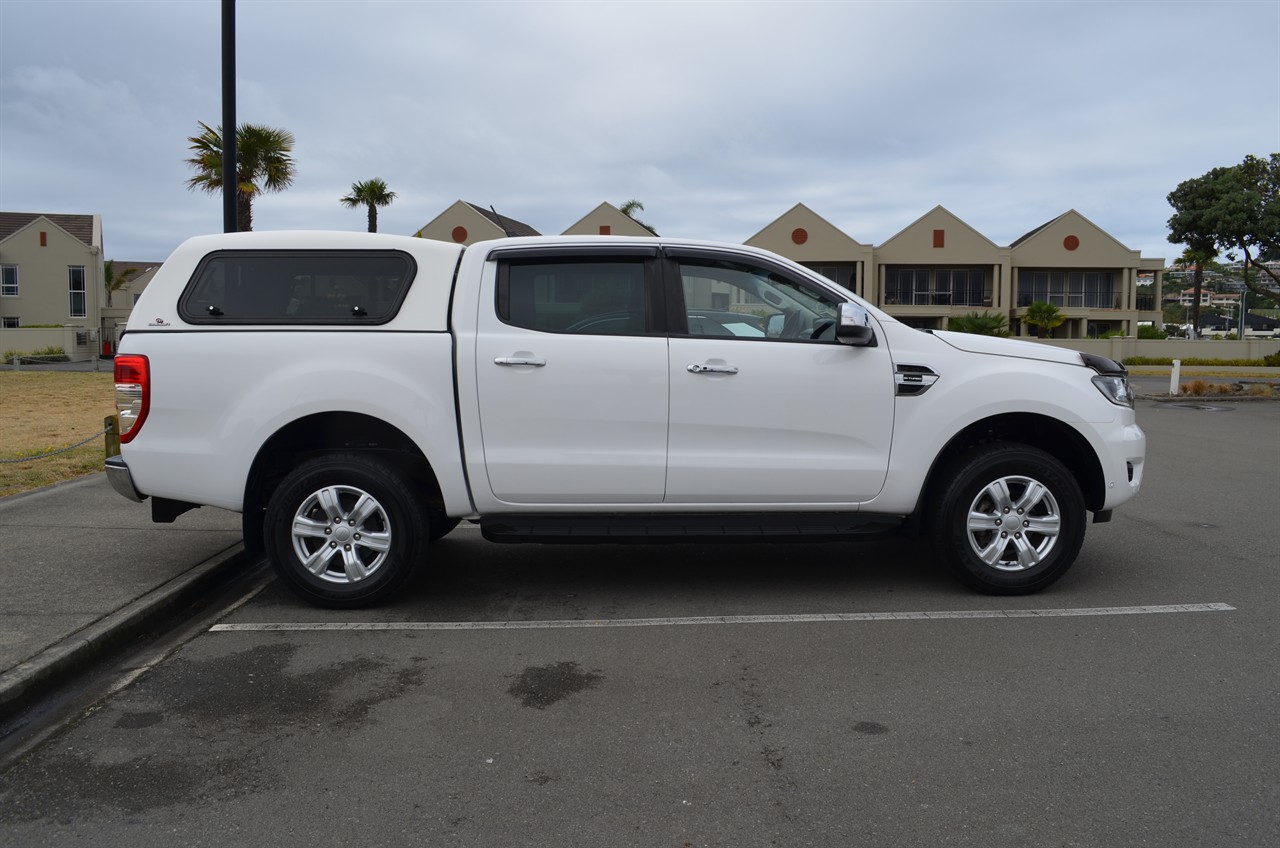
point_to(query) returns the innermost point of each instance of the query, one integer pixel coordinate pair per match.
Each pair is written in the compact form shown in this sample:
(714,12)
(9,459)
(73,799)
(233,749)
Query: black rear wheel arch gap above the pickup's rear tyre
(322,434)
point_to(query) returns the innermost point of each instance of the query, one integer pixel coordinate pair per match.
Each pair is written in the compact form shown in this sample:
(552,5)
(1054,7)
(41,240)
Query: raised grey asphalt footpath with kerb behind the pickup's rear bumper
(85,571)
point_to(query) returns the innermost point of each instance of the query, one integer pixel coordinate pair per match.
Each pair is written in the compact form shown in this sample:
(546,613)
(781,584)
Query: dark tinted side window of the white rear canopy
(298,288)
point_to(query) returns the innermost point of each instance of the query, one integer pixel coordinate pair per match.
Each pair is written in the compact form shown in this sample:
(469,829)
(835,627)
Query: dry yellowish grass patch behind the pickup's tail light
(48,411)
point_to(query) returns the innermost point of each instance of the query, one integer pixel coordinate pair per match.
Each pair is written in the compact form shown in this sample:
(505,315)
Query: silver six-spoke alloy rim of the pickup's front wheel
(1014,523)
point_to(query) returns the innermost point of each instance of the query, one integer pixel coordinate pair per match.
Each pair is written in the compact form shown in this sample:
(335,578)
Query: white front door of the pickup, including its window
(766,407)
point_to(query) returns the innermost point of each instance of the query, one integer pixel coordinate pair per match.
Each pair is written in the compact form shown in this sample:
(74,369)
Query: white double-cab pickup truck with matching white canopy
(355,396)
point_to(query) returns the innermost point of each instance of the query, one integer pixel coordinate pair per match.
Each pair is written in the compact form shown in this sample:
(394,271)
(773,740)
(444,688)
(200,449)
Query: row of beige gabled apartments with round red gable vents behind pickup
(935,270)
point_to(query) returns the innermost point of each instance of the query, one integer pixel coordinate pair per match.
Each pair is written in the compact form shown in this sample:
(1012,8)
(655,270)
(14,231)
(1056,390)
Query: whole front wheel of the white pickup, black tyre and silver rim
(1011,519)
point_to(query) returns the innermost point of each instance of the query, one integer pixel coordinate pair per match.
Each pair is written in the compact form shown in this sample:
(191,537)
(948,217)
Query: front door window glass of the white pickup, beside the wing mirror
(749,302)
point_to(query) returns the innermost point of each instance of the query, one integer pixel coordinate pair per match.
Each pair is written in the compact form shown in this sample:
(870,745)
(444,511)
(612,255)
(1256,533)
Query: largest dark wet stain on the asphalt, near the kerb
(227,705)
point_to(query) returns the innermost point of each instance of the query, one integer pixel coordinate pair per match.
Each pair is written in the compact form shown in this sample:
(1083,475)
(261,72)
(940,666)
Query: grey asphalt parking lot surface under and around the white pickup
(756,695)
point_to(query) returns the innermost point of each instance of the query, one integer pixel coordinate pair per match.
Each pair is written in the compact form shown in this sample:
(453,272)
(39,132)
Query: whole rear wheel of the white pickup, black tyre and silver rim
(345,531)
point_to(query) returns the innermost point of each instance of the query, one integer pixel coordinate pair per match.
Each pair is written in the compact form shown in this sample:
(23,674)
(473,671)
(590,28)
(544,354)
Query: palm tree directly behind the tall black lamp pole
(263,165)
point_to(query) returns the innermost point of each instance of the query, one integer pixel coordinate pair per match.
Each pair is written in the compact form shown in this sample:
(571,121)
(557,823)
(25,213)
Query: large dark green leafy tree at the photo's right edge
(1232,209)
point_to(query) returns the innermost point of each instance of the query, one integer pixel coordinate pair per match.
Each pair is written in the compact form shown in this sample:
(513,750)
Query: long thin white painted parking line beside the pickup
(716,619)
